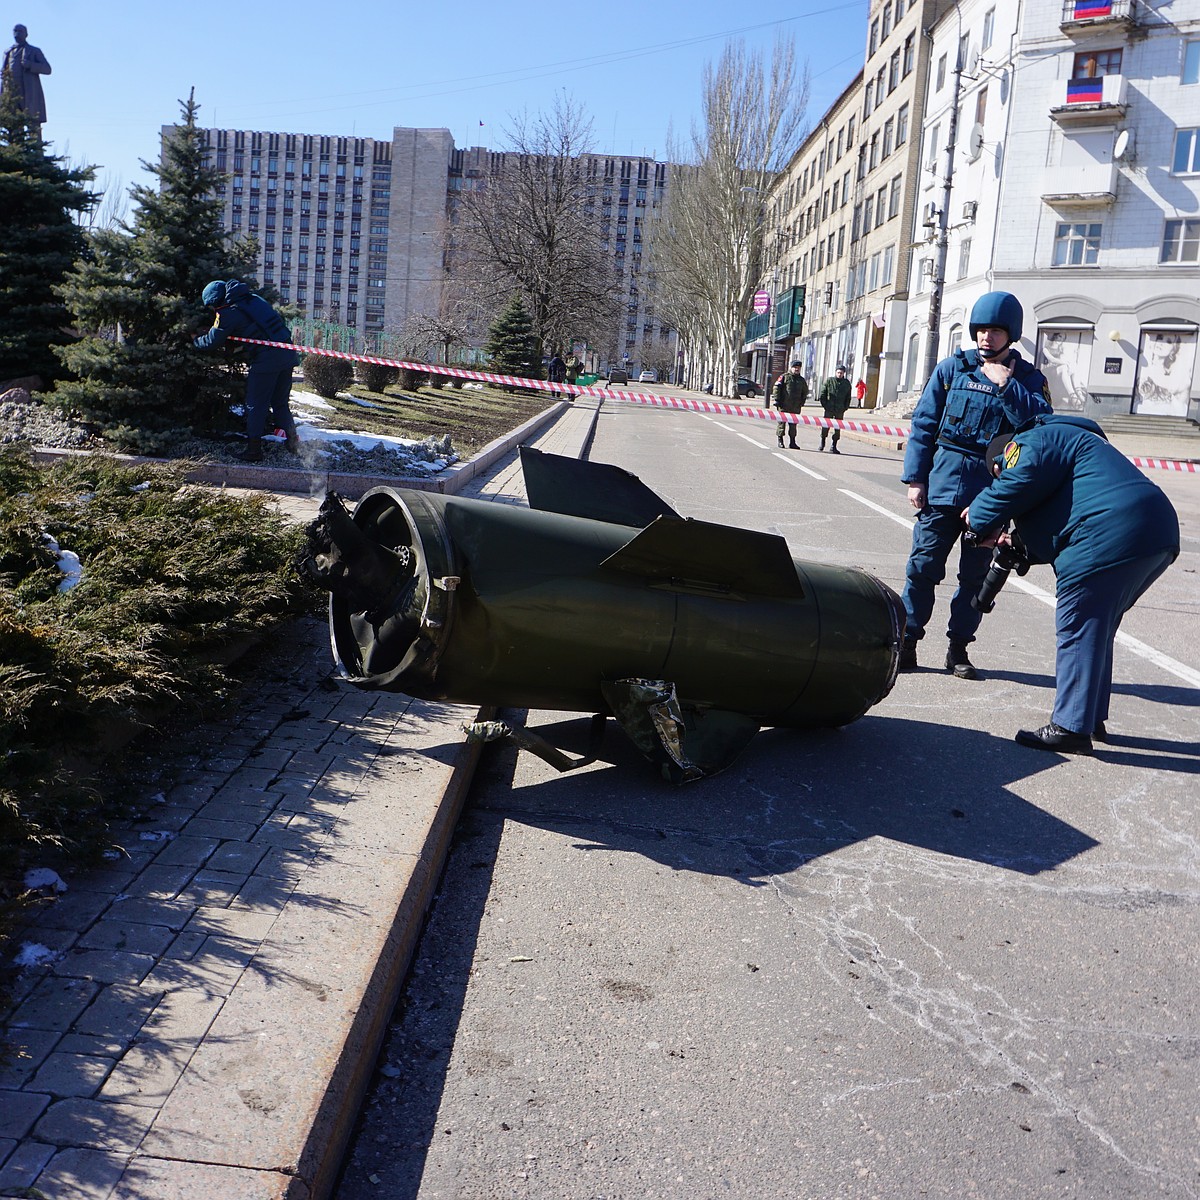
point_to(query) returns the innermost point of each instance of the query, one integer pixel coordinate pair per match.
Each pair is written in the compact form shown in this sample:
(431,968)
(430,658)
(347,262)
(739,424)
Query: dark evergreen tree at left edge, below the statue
(41,200)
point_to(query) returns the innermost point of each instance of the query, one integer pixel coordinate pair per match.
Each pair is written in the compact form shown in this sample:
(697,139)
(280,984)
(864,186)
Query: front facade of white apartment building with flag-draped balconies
(1100,203)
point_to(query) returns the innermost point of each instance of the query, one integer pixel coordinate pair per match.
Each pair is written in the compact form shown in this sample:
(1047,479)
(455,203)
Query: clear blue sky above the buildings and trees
(359,69)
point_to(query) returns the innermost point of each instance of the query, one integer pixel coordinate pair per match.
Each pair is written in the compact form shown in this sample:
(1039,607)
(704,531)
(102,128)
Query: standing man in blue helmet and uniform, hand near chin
(970,398)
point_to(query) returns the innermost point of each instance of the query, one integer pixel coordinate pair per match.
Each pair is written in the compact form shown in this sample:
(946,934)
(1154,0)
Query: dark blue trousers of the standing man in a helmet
(933,539)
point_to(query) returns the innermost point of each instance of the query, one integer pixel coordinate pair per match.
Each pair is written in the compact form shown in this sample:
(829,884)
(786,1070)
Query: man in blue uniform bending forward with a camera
(1079,505)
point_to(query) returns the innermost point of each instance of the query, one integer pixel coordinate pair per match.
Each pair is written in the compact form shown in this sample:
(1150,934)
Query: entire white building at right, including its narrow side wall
(1077,188)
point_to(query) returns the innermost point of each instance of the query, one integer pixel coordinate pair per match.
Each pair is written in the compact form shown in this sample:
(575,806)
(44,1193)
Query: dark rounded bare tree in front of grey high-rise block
(535,226)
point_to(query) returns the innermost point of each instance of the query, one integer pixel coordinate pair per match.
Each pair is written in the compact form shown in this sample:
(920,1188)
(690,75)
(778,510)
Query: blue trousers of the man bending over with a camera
(1088,616)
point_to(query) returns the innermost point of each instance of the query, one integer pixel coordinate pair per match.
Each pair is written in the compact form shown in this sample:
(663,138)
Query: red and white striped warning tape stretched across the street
(653,400)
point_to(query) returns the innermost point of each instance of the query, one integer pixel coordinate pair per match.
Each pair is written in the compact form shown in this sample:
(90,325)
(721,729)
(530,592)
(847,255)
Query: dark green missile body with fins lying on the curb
(693,635)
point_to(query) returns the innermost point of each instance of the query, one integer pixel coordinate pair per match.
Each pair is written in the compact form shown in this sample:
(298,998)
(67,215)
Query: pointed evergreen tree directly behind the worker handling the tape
(137,302)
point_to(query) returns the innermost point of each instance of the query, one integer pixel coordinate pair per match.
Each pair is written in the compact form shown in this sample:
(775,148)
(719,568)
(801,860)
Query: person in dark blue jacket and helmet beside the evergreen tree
(244,314)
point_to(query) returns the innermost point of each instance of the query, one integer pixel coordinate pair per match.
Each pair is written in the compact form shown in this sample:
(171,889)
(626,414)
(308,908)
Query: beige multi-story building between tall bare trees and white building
(856,208)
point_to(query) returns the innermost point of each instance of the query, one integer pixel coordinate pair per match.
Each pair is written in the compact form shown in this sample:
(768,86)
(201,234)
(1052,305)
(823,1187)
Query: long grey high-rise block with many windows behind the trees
(355,231)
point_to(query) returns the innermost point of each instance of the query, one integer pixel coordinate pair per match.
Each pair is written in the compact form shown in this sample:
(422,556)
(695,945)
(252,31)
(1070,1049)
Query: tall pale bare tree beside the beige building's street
(709,247)
